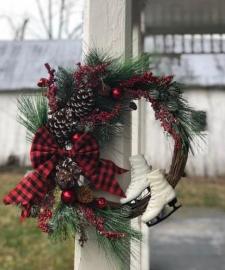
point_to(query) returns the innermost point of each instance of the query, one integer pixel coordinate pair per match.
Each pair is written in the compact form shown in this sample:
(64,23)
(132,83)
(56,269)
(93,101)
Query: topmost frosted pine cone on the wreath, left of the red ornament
(82,102)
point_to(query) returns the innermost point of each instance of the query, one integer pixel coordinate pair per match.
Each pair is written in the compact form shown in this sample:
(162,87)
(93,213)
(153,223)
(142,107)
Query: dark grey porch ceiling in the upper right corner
(185,17)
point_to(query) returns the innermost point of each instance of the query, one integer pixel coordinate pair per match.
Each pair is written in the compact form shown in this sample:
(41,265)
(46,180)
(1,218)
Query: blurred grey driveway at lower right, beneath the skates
(191,239)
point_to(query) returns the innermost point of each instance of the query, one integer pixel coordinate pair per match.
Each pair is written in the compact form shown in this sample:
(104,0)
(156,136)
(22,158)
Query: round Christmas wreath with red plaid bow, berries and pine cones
(78,113)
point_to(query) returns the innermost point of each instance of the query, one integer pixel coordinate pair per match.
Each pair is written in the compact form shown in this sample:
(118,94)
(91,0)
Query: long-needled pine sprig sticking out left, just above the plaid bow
(33,113)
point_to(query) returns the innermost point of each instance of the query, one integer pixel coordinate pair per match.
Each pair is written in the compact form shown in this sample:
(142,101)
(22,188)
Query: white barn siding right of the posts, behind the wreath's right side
(209,157)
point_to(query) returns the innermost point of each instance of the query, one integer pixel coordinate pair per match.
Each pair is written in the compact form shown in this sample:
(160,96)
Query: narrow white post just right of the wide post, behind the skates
(138,140)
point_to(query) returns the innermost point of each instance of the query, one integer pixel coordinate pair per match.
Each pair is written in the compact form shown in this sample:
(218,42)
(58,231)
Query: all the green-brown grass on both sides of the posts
(24,247)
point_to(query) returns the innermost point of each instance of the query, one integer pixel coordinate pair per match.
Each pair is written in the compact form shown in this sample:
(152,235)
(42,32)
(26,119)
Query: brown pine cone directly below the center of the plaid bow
(67,174)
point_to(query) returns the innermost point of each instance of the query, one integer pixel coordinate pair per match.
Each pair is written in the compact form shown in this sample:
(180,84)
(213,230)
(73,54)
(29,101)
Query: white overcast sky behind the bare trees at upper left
(13,12)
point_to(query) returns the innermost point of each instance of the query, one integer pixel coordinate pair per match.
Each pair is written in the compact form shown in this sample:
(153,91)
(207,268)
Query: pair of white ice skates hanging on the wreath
(162,194)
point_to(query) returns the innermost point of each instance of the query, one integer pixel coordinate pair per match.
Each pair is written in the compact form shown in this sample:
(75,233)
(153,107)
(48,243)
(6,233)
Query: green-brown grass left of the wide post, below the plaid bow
(22,245)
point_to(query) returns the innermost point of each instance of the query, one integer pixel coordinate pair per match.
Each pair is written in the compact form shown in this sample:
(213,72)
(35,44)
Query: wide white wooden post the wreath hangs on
(107,26)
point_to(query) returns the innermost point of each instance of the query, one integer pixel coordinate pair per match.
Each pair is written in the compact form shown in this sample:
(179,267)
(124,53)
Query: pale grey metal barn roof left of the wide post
(22,62)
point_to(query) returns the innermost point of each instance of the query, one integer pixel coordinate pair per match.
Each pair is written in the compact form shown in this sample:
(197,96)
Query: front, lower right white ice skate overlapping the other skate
(162,194)
